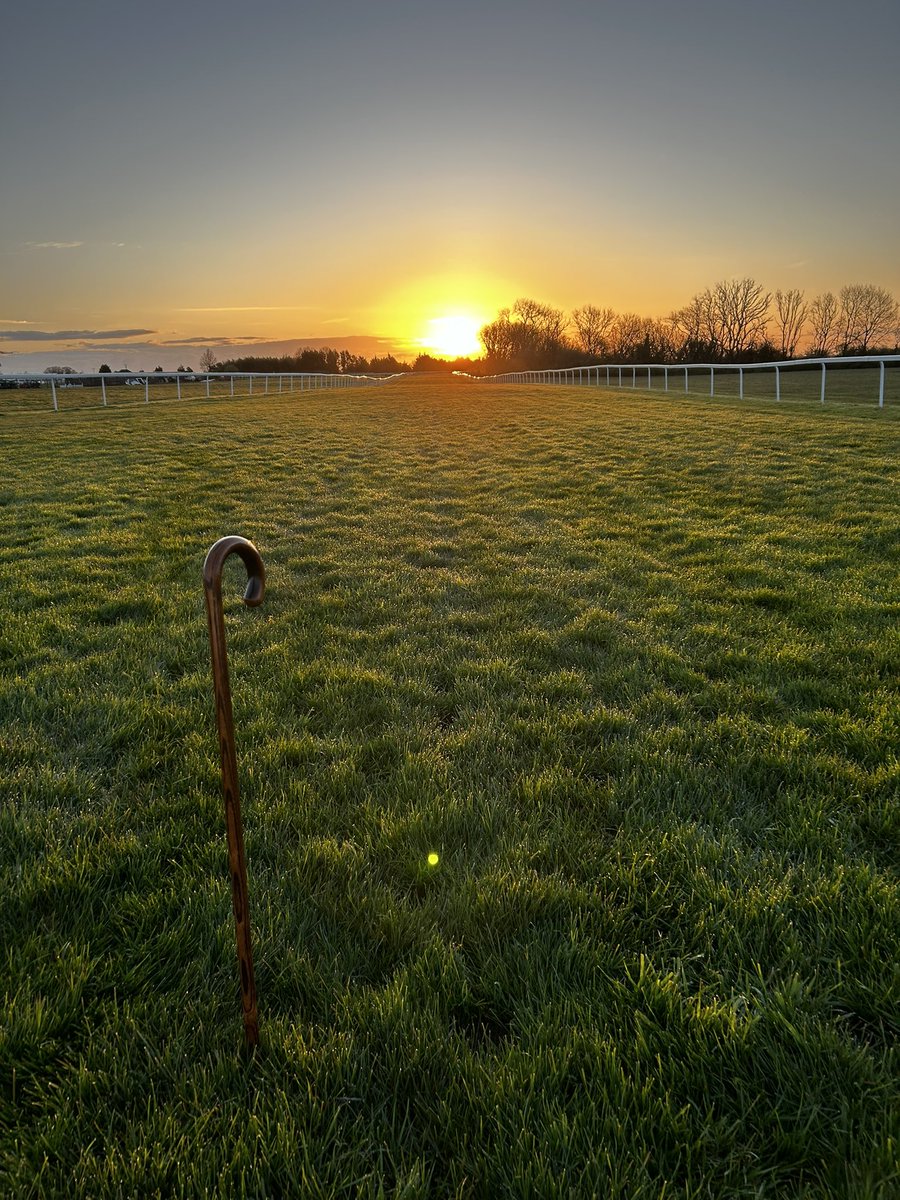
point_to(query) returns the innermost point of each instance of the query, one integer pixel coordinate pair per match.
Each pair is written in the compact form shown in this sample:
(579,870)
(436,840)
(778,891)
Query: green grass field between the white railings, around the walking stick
(628,665)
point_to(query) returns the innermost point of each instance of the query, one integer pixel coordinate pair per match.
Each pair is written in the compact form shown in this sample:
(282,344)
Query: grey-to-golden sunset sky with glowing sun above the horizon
(181,176)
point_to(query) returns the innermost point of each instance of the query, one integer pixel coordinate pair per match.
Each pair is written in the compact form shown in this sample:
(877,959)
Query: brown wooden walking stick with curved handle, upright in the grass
(225,721)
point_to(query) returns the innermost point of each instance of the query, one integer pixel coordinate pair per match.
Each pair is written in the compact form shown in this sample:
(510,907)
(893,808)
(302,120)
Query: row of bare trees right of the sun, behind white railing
(735,321)
